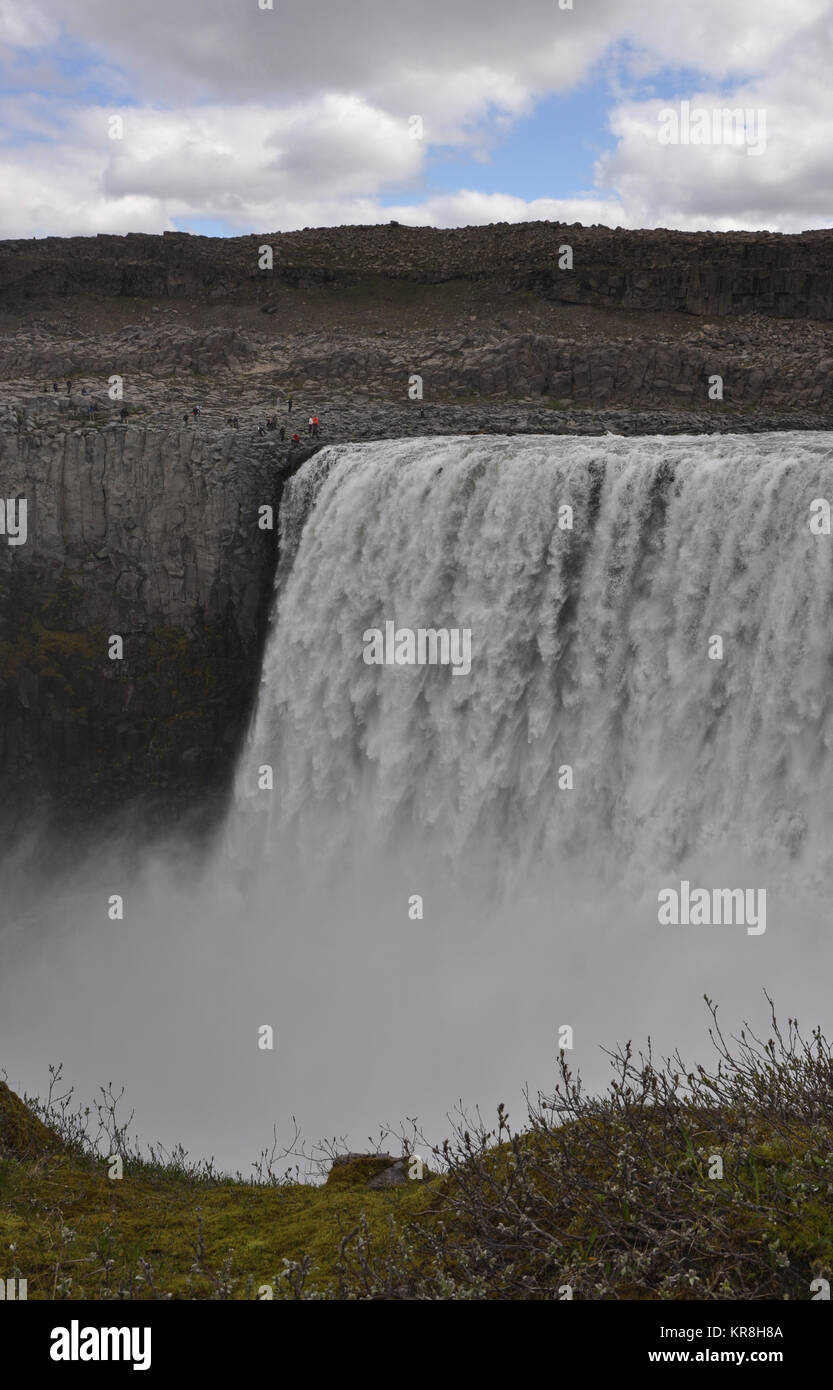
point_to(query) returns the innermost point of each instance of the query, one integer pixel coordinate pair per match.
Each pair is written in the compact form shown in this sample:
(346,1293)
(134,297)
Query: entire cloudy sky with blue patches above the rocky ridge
(226,117)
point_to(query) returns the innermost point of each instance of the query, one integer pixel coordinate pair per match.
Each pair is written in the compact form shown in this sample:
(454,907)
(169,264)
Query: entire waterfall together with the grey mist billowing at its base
(590,647)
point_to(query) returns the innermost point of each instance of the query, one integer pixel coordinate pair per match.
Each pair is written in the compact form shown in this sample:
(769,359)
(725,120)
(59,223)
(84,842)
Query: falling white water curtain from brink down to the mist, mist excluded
(590,650)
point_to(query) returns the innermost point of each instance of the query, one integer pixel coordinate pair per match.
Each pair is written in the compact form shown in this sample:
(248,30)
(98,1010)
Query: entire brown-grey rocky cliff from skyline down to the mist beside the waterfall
(148,528)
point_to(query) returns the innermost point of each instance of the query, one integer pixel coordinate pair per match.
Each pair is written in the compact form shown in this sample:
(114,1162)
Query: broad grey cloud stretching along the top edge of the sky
(396,52)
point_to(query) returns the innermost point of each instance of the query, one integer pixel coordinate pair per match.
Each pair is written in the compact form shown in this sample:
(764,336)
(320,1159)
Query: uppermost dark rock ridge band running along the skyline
(695,273)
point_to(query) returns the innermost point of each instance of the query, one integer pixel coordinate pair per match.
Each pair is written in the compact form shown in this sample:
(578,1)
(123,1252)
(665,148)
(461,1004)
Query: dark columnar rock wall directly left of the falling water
(152,536)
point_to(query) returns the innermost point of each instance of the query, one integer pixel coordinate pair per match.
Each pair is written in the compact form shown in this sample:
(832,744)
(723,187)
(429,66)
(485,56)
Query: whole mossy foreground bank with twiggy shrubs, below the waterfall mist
(677,1184)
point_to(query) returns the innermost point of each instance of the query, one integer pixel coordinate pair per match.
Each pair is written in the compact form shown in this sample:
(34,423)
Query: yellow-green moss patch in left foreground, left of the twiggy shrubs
(65,1213)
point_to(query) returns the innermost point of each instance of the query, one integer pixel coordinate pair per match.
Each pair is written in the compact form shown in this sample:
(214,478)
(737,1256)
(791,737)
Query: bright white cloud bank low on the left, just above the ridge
(248,165)
